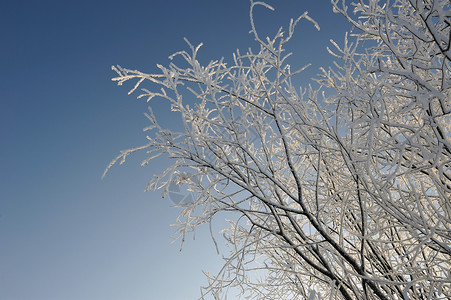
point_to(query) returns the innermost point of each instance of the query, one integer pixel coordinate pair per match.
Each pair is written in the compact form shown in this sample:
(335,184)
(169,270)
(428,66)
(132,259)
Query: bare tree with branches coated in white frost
(339,190)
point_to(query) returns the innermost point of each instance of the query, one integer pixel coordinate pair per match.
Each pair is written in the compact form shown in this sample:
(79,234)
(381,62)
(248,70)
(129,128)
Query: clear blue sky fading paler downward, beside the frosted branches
(64,232)
